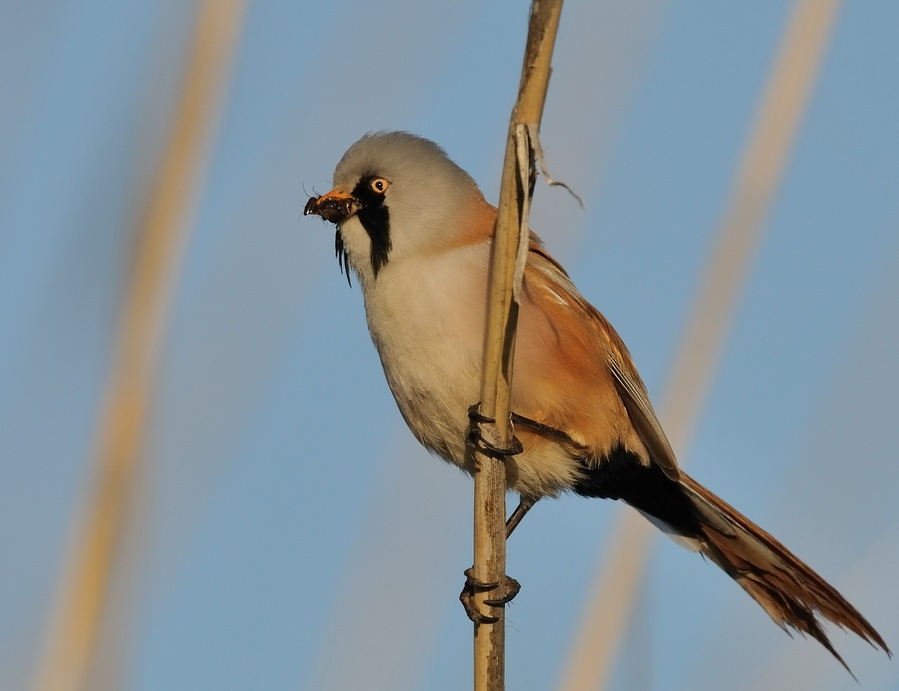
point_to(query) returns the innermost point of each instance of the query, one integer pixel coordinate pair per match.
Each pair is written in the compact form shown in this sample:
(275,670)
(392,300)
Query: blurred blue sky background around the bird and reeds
(287,532)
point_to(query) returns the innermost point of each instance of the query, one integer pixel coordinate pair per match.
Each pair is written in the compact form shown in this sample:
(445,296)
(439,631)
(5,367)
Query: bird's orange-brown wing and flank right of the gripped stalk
(578,372)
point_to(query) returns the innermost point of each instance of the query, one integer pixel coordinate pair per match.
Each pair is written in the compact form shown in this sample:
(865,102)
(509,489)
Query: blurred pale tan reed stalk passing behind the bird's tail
(615,588)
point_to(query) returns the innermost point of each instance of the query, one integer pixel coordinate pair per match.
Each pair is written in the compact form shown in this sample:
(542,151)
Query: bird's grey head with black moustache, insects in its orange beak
(395,195)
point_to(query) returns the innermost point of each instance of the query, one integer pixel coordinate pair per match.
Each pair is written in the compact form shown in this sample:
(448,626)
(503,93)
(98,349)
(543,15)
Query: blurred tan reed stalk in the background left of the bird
(71,645)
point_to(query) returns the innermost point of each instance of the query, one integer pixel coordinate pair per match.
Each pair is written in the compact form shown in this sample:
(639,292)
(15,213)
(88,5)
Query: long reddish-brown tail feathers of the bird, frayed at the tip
(789,591)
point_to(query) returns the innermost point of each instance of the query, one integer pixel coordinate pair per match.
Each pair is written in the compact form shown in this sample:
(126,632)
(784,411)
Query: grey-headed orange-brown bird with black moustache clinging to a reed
(416,231)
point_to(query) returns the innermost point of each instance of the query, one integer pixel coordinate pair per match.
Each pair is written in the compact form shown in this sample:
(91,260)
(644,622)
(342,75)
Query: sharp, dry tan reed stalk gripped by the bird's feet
(499,340)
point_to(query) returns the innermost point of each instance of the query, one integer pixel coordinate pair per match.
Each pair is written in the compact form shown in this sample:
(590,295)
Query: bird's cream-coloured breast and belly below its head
(430,341)
